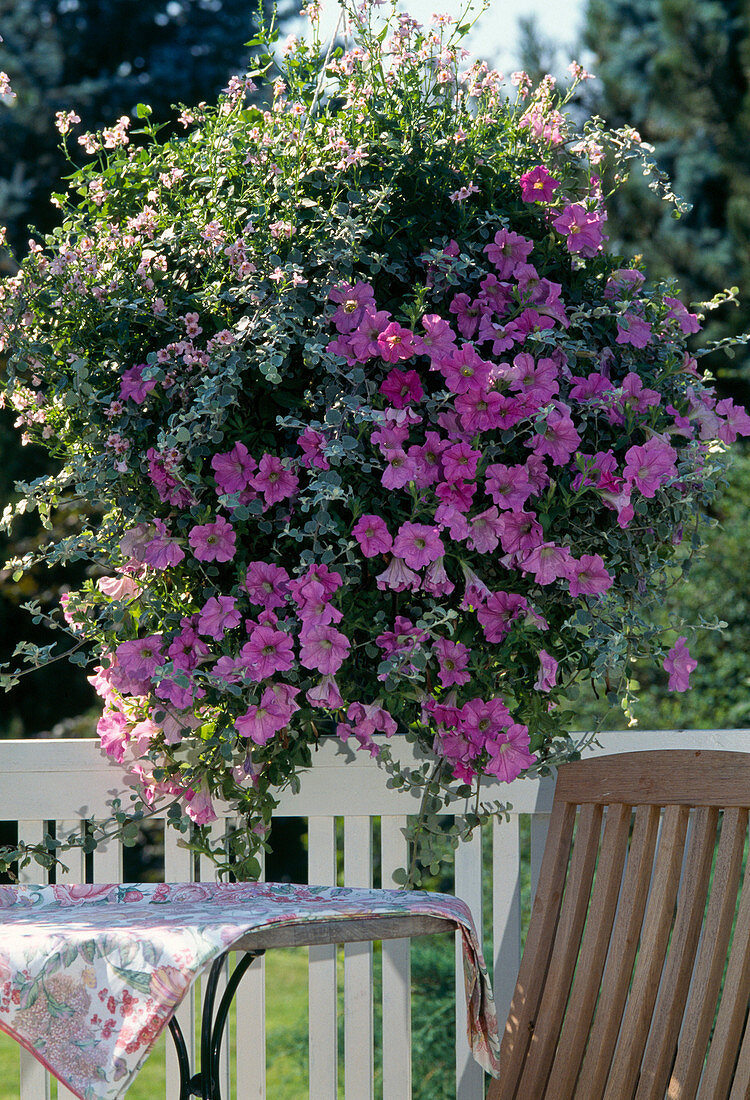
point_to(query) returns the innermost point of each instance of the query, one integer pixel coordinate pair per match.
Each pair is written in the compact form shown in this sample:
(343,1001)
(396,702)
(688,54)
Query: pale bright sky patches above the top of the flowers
(495,38)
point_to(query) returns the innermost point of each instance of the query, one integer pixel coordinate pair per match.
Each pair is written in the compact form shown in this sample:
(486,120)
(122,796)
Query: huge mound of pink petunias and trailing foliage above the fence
(379,437)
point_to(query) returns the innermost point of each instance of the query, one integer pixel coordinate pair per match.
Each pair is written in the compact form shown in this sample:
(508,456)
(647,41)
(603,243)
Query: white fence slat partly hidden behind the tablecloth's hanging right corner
(469,1074)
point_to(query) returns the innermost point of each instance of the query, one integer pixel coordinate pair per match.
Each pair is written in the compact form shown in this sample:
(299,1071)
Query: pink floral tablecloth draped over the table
(91,975)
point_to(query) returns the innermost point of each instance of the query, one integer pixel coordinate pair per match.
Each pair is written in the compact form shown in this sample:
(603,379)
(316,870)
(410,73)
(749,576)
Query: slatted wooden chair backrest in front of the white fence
(635,981)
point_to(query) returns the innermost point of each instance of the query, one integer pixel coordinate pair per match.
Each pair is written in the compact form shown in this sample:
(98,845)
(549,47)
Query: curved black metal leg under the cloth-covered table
(206,1084)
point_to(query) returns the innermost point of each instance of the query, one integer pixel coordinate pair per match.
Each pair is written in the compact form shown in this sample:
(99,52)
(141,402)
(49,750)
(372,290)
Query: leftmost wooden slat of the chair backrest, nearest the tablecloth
(534,966)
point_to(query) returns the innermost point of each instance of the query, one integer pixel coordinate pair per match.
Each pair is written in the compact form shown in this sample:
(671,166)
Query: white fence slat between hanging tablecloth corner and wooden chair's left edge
(506,912)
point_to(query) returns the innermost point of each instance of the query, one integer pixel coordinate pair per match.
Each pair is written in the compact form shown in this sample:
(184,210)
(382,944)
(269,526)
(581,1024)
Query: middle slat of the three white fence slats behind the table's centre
(359,1055)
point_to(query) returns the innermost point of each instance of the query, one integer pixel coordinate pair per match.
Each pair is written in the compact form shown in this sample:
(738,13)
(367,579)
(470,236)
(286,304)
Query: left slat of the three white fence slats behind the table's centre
(323,986)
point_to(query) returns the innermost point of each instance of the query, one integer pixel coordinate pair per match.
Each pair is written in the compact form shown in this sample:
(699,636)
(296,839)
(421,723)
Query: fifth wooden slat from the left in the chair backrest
(655,940)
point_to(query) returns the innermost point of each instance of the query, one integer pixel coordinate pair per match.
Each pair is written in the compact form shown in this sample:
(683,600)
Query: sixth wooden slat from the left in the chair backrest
(670,1008)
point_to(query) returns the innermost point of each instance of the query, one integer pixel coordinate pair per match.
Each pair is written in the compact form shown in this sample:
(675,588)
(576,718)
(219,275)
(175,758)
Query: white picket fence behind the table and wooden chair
(70,782)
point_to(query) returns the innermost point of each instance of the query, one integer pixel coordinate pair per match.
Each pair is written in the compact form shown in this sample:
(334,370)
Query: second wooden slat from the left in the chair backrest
(565,953)
